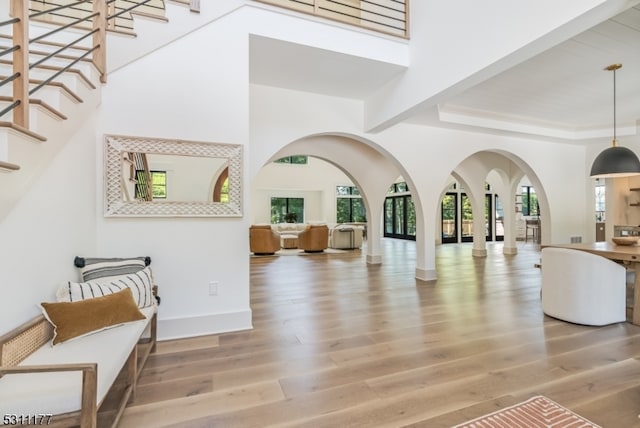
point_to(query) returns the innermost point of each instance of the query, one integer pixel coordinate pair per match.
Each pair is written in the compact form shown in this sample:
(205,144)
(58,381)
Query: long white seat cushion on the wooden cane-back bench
(57,393)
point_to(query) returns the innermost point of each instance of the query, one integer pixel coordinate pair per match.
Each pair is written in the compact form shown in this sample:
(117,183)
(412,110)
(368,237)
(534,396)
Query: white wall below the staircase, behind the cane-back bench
(54,222)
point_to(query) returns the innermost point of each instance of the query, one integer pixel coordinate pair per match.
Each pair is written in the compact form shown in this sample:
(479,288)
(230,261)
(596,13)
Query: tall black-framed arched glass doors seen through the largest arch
(399,213)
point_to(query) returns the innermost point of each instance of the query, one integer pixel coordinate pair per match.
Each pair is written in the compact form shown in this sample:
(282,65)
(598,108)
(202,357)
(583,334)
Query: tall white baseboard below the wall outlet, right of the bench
(180,328)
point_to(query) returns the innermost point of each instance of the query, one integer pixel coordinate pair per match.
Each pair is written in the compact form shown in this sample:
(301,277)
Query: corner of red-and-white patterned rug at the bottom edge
(536,412)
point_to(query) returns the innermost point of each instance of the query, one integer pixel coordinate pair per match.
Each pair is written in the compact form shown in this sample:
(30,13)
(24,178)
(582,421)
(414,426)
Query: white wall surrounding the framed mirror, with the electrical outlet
(182,92)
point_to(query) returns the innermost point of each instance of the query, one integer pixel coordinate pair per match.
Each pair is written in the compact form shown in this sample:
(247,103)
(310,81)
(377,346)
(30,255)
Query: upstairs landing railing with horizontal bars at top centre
(385,16)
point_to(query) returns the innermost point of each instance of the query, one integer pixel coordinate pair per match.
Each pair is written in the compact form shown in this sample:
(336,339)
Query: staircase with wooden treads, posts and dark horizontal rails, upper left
(52,67)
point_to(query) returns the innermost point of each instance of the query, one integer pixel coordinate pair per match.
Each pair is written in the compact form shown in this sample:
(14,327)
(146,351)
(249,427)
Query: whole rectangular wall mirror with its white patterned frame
(153,177)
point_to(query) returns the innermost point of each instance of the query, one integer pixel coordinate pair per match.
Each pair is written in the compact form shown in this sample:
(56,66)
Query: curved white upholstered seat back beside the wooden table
(582,288)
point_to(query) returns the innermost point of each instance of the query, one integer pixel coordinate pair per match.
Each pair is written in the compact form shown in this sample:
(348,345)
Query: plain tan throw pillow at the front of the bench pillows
(75,319)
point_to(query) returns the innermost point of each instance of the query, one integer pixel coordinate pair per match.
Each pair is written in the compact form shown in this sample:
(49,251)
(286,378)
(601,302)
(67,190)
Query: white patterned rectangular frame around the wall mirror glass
(116,206)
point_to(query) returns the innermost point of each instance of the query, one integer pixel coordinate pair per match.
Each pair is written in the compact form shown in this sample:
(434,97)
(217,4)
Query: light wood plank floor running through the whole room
(338,343)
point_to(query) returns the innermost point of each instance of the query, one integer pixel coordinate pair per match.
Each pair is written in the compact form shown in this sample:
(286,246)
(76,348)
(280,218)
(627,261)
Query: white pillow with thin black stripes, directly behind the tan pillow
(139,282)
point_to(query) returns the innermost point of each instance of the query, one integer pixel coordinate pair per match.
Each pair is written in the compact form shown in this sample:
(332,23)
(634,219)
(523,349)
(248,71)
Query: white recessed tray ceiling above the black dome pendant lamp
(565,87)
